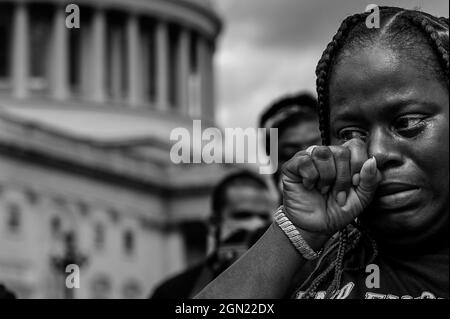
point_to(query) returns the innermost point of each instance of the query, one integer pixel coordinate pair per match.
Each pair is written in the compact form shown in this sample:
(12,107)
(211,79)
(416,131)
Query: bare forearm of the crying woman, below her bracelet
(264,272)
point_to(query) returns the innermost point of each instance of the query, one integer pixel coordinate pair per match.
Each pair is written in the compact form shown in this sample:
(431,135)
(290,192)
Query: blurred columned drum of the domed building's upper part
(147,54)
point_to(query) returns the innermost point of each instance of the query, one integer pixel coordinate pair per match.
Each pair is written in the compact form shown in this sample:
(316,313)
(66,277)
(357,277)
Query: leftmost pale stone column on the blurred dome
(20,51)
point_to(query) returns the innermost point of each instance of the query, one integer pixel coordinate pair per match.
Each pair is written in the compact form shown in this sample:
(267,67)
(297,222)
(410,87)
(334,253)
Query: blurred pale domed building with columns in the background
(85,119)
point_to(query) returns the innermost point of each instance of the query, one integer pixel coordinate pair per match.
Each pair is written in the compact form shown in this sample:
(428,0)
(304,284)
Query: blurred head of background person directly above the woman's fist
(297,121)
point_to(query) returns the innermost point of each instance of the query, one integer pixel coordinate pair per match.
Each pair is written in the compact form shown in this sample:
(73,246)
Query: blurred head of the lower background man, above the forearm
(241,202)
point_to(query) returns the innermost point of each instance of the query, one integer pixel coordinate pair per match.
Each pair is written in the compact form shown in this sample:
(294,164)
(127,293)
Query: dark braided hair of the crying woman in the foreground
(414,27)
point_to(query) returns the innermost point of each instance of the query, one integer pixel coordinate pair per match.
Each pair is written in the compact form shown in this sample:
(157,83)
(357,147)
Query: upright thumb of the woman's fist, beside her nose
(368,183)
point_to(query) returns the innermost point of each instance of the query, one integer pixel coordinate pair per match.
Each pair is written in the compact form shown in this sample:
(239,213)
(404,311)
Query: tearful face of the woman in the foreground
(401,111)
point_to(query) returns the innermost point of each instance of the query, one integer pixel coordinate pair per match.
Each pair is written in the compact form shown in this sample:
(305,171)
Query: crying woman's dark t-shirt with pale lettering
(424,276)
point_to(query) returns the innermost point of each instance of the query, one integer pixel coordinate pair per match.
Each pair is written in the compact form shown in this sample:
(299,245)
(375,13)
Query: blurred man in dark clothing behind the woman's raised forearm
(241,204)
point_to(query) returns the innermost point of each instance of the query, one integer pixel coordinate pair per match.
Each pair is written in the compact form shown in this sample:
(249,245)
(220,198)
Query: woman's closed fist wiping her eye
(326,187)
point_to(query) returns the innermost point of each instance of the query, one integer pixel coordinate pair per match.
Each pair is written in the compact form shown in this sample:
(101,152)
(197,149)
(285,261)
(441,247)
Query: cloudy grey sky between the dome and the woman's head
(271,47)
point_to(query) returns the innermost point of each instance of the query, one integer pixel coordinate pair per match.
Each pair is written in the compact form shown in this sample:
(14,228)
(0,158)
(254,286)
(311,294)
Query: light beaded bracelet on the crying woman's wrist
(294,235)
